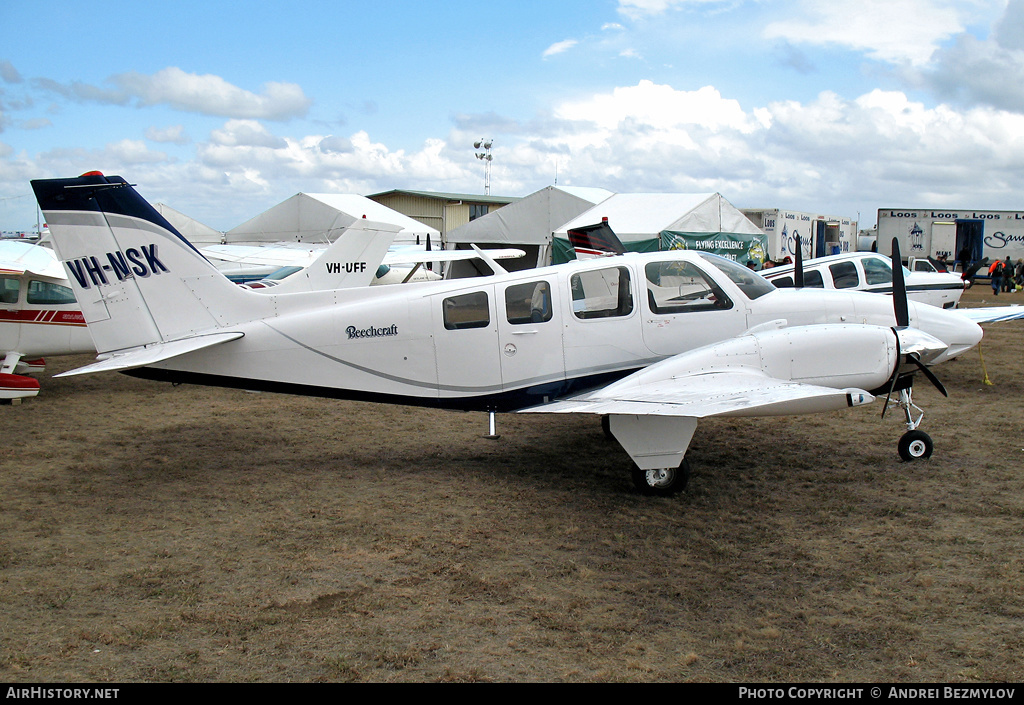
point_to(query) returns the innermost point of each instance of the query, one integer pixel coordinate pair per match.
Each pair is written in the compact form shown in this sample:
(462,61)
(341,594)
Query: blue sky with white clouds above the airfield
(224,110)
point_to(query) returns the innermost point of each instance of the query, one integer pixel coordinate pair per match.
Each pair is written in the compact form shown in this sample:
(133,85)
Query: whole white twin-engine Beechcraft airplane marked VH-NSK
(653,343)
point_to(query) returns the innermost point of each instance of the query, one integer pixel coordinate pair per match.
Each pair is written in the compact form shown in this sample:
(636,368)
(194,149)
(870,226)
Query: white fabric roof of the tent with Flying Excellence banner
(641,220)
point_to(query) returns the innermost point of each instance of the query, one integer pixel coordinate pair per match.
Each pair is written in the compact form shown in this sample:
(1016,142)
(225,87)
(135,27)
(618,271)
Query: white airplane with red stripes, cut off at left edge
(38,316)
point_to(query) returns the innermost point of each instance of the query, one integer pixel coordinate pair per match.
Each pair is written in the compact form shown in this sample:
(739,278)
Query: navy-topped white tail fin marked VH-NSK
(138,280)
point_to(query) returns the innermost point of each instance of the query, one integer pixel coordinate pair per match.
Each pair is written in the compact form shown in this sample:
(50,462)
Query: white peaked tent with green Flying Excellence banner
(649,223)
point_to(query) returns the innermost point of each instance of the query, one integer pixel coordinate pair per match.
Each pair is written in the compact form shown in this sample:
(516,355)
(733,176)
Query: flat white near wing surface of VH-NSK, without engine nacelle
(728,393)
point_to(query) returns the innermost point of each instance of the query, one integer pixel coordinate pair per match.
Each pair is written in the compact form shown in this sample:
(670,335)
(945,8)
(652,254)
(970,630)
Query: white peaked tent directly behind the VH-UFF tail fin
(319,219)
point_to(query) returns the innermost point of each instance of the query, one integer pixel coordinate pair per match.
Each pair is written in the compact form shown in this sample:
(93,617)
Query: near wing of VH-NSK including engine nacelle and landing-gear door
(655,411)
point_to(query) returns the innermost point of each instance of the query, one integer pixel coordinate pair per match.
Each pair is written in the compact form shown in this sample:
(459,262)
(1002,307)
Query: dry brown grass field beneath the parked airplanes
(152,533)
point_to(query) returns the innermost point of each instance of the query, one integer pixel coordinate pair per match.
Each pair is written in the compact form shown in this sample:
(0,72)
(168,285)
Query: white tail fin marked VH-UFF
(352,261)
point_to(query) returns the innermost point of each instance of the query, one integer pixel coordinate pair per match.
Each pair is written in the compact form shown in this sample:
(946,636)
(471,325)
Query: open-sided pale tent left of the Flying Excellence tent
(528,224)
